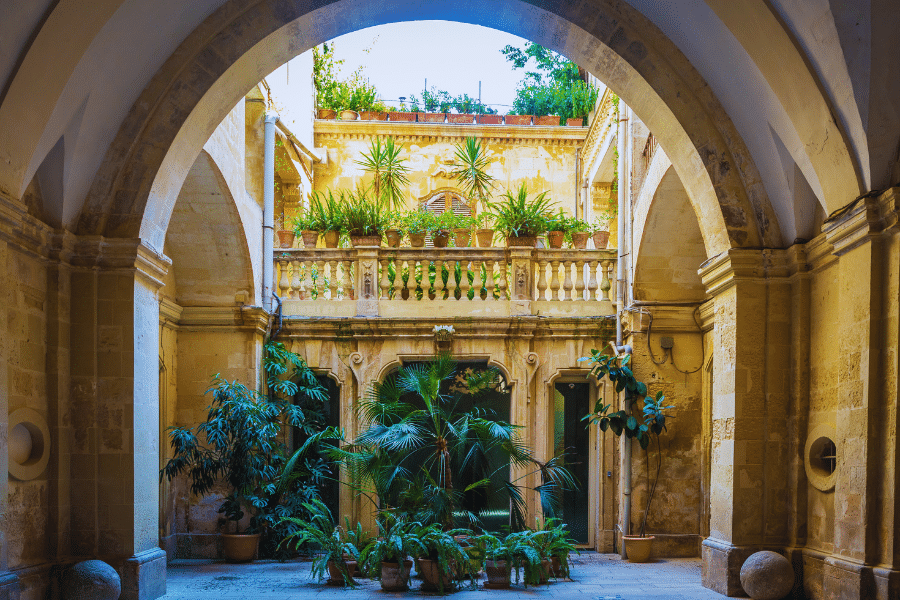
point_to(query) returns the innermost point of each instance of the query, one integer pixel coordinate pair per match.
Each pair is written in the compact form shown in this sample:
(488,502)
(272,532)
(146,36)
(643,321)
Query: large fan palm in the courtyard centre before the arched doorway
(422,443)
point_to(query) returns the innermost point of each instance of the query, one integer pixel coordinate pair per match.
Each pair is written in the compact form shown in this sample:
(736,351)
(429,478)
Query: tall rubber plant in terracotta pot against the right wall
(646,429)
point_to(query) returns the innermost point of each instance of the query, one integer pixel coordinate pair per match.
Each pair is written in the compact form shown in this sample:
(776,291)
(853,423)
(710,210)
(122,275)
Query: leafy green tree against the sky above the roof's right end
(557,87)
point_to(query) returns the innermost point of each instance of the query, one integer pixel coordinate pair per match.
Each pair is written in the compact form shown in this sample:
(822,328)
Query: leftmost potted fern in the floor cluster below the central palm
(336,556)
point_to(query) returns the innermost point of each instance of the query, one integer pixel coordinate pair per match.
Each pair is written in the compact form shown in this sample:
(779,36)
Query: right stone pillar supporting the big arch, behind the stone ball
(748,507)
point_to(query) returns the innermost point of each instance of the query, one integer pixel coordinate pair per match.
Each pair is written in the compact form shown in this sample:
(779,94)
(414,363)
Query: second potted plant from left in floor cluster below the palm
(389,554)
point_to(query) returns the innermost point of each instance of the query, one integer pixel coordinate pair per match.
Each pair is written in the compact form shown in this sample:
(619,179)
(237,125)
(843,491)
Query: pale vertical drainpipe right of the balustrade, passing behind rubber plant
(621,136)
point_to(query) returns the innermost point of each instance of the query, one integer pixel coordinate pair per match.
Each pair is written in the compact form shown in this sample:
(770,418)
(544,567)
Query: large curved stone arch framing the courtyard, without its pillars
(134,192)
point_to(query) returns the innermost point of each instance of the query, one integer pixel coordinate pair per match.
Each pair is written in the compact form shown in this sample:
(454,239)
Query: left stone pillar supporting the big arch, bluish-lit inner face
(114,410)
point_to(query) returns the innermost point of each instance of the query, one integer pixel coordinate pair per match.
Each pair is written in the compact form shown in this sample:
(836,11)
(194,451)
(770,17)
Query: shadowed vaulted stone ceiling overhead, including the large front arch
(766,108)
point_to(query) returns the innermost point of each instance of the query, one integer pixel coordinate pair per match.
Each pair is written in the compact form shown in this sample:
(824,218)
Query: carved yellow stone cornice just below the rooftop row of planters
(449,133)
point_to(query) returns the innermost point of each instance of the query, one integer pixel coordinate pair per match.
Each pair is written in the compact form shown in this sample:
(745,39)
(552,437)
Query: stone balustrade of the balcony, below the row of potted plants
(447,282)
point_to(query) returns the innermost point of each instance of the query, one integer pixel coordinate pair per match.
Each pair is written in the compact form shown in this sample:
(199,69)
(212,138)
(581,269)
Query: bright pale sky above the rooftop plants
(399,57)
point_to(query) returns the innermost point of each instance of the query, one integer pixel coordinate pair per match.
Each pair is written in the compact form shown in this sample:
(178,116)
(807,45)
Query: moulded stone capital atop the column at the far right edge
(862,219)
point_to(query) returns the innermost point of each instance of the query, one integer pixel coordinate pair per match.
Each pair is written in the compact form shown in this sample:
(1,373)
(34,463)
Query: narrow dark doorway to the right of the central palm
(571,402)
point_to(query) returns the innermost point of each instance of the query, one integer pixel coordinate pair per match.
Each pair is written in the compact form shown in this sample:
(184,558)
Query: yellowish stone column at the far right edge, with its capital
(864,238)
